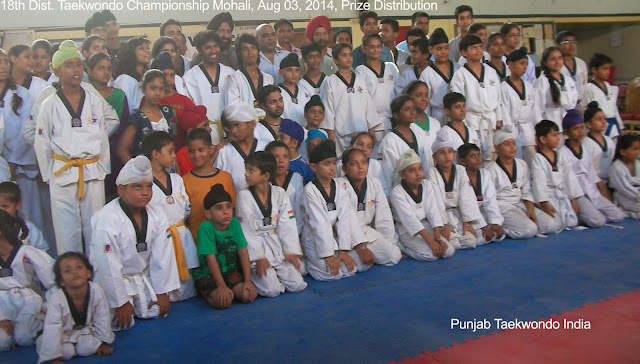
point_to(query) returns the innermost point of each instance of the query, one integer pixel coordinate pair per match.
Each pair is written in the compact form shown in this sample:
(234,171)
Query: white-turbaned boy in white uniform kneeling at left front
(135,267)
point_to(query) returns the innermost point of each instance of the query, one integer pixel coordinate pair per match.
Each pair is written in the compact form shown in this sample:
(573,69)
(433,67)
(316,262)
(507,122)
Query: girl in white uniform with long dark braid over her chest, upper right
(558,94)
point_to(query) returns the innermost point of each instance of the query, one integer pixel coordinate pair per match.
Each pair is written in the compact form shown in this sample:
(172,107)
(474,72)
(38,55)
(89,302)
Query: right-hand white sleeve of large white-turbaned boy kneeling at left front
(162,263)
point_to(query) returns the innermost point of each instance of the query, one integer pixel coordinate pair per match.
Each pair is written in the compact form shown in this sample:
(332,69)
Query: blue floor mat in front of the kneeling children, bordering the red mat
(388,314)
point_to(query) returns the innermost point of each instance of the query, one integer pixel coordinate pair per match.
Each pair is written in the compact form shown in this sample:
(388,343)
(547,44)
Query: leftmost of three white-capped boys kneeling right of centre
(415,204)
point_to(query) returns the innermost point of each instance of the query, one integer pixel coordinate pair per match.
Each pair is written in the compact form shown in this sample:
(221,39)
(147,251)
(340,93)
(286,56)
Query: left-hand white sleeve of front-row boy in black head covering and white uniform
(320,224)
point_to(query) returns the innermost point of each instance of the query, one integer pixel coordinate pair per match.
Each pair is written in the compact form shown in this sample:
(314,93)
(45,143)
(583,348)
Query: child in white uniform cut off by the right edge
(625,175)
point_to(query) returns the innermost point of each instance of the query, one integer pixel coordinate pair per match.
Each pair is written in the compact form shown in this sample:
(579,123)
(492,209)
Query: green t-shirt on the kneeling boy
(223,244)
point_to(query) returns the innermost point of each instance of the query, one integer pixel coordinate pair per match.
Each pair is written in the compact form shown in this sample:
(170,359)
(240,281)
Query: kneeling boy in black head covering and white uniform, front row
(329,238)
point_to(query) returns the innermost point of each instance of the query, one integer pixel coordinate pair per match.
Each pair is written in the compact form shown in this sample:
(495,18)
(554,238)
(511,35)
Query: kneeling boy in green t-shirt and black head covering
(224,273)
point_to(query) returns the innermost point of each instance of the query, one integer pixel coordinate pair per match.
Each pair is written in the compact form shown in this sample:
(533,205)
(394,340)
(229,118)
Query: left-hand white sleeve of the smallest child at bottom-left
(50,346)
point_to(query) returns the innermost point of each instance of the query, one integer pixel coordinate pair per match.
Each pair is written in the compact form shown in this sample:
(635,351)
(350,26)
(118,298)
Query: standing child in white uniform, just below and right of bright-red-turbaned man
(348,107)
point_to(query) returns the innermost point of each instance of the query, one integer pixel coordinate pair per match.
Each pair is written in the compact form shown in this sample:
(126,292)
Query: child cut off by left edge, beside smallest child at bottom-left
(23,269)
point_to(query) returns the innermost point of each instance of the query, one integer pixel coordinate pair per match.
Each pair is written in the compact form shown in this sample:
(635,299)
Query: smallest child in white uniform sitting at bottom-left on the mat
(78,320)
